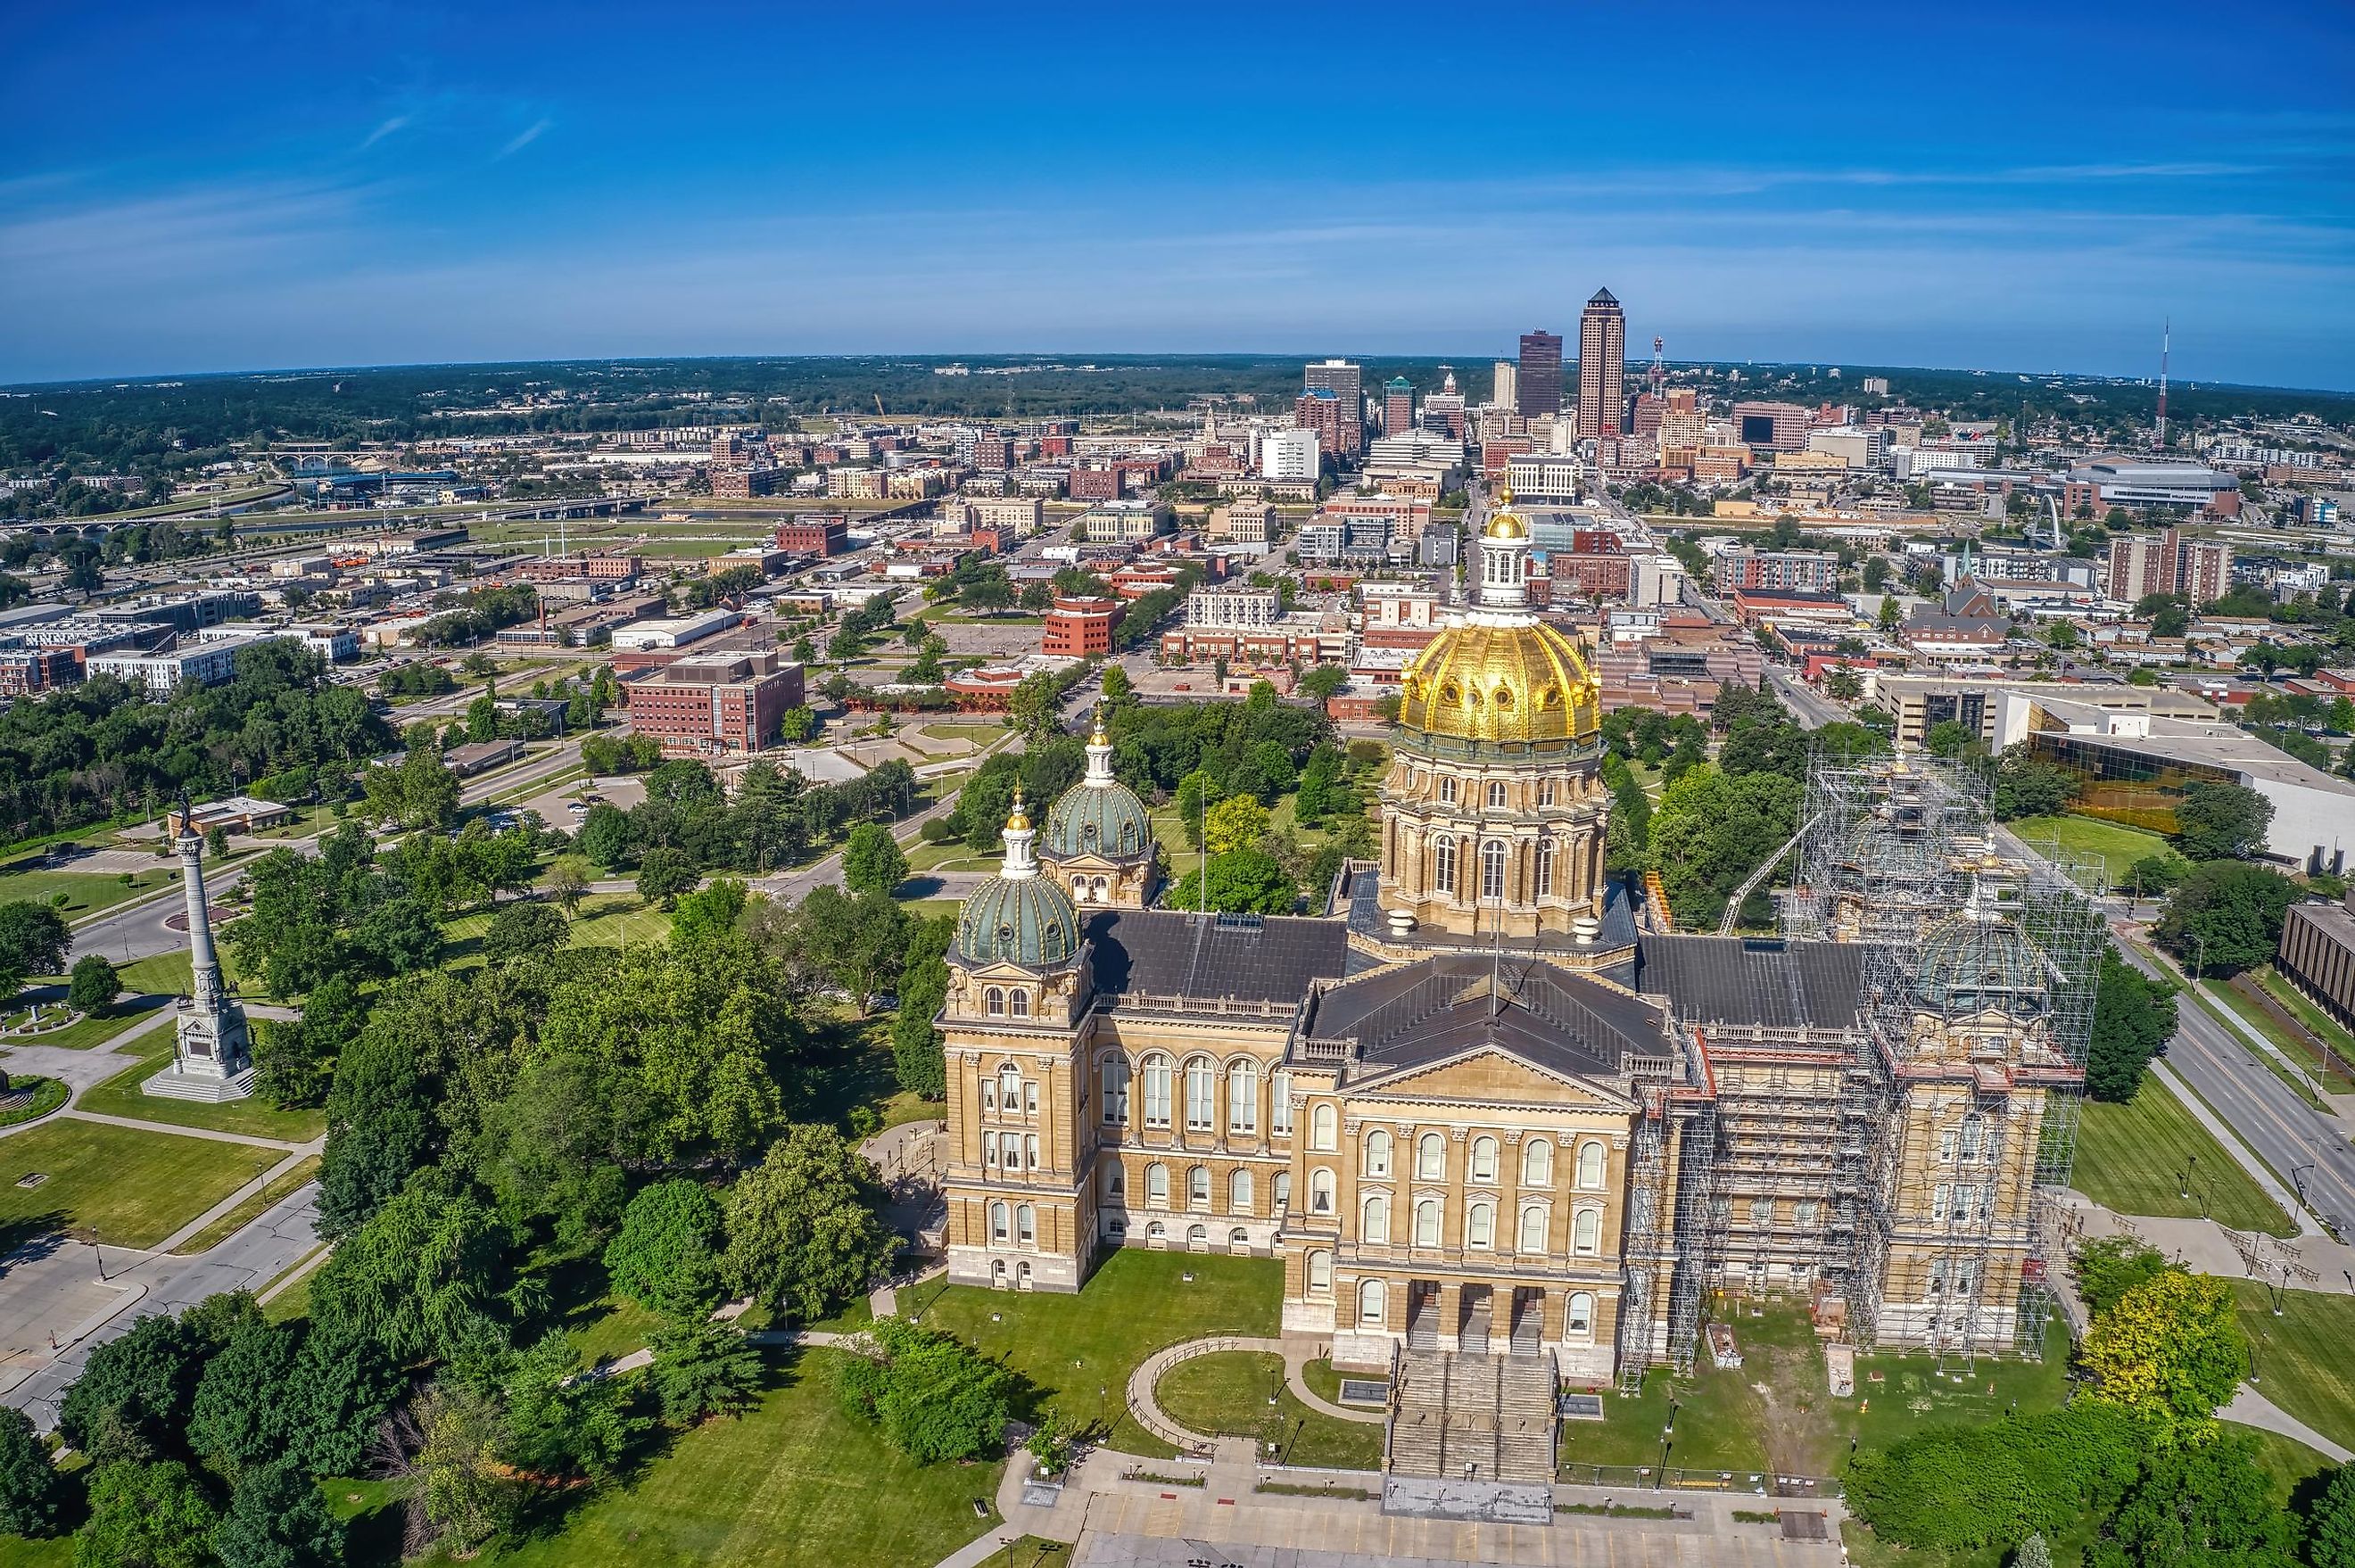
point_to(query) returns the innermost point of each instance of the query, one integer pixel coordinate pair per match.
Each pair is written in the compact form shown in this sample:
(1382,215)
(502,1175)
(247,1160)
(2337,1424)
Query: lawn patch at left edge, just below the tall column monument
(128,1188)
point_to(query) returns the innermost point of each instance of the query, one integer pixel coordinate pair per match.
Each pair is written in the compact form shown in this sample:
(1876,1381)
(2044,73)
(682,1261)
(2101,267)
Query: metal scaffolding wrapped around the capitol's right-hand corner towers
(1979,959)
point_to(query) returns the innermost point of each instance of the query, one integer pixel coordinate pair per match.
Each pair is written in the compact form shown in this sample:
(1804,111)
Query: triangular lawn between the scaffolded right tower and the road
(2132,1160)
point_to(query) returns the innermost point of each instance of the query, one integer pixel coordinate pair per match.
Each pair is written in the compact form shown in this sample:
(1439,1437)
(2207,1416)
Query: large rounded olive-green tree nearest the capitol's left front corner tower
(802,1225)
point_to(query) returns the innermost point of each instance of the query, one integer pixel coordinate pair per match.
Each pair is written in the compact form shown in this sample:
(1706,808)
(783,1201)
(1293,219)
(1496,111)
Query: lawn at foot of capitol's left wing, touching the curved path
(1080,1348)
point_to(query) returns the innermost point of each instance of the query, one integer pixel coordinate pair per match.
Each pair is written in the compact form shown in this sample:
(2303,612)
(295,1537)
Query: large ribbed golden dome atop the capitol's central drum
(1501,682)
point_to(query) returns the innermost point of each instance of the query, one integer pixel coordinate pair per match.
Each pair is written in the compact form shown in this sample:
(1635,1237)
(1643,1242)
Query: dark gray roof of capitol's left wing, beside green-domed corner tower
(1169,952)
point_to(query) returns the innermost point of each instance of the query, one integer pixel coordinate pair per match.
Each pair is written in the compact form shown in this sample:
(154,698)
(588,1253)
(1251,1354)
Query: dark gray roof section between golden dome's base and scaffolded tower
(1753,981)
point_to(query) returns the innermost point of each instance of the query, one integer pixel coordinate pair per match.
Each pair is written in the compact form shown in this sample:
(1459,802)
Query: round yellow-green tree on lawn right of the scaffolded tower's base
(2172,1348)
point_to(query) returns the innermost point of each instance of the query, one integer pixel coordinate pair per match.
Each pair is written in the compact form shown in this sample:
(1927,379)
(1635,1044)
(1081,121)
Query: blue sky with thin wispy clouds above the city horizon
(2003,187)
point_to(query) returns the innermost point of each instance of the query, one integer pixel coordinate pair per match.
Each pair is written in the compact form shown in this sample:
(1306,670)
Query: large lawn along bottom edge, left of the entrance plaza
(792,1482)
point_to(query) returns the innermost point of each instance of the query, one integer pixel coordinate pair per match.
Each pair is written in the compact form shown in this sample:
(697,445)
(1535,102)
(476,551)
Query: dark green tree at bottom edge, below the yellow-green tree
(2205,1506)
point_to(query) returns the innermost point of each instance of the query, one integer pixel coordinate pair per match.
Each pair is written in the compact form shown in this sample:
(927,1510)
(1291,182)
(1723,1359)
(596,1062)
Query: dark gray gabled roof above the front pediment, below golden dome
(1530,1009)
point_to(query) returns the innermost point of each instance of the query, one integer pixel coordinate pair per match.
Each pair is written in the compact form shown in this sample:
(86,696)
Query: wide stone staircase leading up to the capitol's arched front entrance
(1490,1418)
